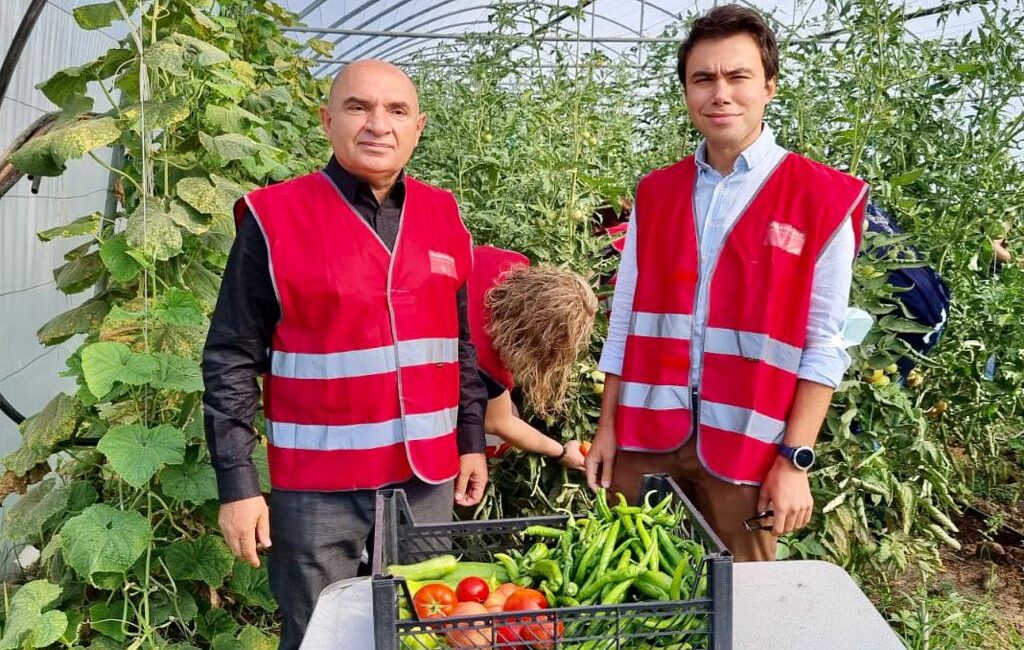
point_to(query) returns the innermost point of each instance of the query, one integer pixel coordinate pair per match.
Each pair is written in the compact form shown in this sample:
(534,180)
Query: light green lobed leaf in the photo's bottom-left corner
(29,626)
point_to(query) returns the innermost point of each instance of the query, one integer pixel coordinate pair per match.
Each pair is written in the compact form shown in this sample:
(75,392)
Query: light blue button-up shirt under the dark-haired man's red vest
(719,201)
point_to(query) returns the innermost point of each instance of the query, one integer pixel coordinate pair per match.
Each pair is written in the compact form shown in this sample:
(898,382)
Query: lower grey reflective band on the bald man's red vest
(361,437)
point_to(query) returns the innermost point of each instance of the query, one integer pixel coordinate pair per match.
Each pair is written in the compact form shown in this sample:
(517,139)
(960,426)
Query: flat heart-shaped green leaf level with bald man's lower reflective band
(137,453)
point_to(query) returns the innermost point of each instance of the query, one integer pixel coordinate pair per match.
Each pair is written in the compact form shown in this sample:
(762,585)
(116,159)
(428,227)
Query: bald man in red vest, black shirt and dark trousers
(346,290)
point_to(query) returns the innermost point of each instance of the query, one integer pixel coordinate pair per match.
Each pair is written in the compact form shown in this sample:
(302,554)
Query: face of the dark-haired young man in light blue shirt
(727,92)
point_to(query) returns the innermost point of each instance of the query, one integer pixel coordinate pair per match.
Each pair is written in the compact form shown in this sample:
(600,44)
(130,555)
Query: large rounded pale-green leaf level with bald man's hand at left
(105,540)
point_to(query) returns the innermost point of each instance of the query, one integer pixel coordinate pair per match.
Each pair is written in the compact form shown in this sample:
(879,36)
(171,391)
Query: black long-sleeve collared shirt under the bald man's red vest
(238,346)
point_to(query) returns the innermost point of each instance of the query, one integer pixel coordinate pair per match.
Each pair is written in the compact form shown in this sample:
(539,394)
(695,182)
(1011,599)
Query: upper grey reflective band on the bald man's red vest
(363,363)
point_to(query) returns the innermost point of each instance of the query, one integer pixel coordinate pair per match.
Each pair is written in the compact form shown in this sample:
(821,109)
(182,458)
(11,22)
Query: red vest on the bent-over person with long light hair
(490,266)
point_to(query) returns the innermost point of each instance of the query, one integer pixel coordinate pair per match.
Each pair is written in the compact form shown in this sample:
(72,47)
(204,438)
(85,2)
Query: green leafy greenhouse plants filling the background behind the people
(132,556)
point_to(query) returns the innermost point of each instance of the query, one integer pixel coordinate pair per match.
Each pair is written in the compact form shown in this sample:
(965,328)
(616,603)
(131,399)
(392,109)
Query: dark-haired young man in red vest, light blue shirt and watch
(723,349)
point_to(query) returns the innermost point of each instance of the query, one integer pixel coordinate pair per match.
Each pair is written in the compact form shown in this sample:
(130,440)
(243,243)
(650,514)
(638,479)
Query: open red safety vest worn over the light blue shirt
(757,321)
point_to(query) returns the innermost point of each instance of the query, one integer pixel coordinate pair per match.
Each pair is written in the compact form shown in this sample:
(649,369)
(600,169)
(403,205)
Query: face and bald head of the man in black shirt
(373,120)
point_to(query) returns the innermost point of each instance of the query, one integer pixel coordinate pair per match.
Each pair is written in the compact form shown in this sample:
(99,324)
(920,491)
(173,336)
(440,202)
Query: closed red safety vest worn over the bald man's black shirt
(363,389)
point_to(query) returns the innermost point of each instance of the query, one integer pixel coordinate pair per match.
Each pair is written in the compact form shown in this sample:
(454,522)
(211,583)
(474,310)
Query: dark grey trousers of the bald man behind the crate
(318,539)
